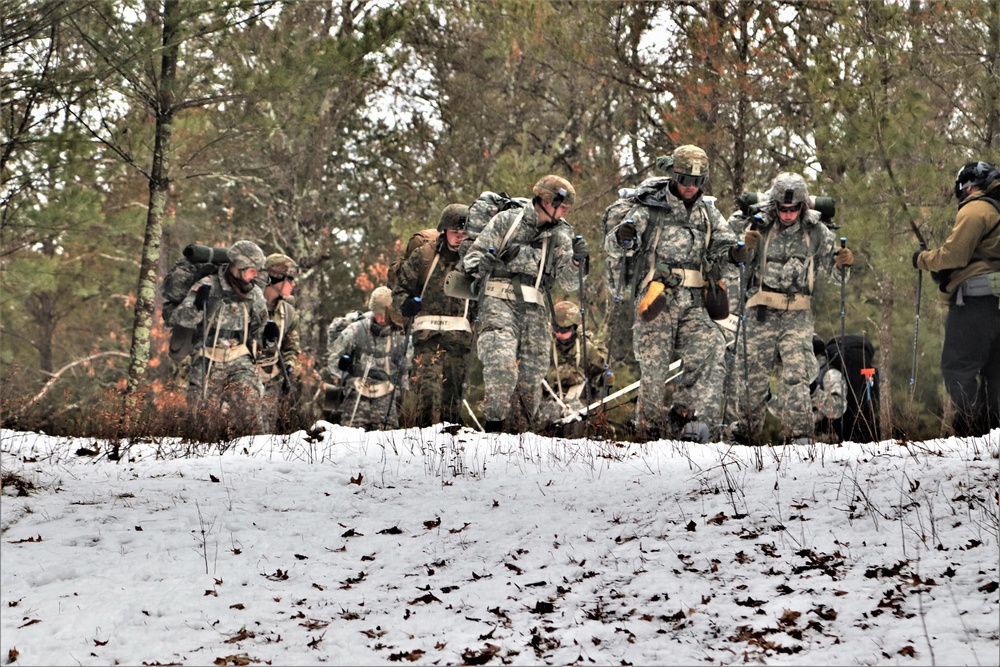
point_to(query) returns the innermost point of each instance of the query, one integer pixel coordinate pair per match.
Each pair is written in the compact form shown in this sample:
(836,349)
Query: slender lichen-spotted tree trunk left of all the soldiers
(162,105)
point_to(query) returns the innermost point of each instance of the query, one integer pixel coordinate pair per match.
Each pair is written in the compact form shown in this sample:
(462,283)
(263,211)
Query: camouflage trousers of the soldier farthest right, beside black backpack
(783,338)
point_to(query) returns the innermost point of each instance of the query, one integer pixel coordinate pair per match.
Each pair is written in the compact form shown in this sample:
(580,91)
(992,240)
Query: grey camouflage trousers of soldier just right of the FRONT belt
(514,346)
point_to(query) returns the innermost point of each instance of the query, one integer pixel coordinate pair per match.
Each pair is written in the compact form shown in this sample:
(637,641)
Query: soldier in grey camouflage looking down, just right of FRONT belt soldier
(517,259)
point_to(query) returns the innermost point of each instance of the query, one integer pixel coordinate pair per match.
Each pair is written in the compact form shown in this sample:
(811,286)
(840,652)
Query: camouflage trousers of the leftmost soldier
(234,393)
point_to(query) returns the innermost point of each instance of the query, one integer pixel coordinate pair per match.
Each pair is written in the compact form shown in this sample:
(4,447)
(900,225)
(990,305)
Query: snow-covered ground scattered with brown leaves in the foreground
(446,546)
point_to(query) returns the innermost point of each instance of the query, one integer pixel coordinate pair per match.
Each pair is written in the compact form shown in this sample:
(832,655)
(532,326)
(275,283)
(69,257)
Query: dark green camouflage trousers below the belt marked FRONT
(436,378)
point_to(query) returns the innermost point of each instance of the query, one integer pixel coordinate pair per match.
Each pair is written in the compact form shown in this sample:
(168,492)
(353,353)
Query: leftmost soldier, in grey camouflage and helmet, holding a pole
(227,312)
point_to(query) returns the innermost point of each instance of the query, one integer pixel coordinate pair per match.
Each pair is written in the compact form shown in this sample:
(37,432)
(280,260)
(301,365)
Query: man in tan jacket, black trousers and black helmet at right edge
(967,269)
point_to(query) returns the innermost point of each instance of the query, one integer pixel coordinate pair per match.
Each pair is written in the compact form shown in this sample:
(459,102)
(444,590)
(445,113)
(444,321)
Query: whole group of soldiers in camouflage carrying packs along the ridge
(690,284)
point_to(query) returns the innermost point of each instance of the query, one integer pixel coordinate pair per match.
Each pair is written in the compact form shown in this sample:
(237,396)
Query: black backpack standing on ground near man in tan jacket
(854,356)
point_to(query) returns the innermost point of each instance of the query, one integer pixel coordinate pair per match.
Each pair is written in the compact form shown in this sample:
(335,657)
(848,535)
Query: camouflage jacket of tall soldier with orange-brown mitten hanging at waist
(691,236)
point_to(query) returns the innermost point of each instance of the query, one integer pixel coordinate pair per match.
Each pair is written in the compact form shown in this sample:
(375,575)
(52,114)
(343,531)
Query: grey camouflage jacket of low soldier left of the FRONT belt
(366,343)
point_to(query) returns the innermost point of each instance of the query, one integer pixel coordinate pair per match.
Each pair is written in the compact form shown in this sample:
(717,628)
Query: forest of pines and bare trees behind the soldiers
(332,130)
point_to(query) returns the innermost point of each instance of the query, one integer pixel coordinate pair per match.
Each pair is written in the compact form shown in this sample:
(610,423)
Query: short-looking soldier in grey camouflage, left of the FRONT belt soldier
(369,351)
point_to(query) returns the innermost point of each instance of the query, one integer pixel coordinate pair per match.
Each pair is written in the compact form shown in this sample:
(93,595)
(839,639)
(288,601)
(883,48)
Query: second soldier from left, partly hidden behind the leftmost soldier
(282,384)
